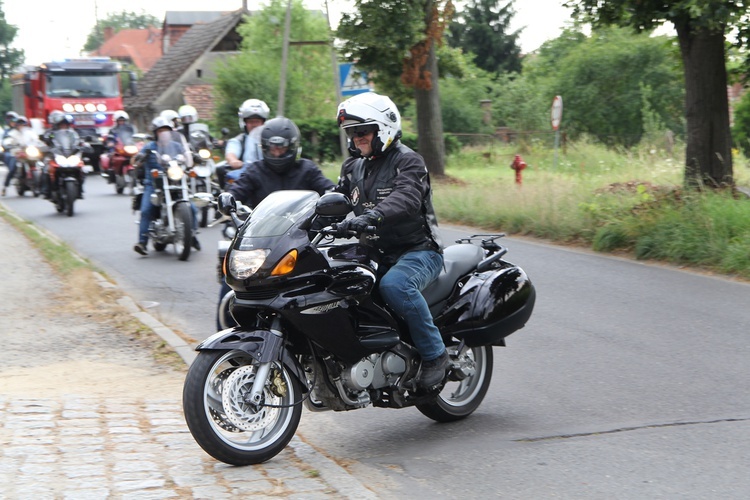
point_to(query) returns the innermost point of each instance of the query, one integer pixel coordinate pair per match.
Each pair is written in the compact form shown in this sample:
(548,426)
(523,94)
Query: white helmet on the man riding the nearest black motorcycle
(370,108)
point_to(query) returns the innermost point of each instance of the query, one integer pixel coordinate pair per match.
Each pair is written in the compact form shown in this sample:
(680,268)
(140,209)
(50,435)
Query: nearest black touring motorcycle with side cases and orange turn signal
(313,330)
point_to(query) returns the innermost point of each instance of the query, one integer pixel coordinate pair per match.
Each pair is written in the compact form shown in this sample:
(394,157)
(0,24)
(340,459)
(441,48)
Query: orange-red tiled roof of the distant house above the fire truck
(139,47)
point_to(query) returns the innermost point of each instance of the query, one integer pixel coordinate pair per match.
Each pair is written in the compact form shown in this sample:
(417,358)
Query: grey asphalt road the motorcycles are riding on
(629,381)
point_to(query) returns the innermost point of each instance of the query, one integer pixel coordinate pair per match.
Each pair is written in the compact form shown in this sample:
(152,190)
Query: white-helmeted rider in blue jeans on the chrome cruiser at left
(163,143)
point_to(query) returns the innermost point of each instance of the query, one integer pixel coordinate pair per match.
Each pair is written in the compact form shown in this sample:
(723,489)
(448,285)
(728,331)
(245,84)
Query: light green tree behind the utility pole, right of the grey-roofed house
(255,73)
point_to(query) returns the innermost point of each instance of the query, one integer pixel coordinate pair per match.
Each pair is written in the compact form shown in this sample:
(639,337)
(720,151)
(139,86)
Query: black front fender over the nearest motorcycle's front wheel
(262,345)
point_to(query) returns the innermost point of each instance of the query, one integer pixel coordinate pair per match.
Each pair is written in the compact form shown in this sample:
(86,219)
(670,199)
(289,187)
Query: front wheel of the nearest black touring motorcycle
(223,424)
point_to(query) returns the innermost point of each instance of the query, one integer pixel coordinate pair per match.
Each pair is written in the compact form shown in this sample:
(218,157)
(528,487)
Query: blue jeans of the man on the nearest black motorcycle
(401,288)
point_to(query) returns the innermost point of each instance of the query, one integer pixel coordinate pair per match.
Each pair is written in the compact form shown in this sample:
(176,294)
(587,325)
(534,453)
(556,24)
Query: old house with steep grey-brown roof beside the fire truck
(184,73)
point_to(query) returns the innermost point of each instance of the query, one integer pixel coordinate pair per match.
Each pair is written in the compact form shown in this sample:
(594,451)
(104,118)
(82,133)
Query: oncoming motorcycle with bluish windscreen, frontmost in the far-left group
(66,170)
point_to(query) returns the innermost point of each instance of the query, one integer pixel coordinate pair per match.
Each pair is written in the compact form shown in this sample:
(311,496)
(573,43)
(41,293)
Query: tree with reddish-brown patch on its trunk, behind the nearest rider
(378,34)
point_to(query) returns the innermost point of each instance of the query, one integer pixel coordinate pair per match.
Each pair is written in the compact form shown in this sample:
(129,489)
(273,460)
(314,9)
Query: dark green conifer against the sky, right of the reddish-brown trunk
(482,28)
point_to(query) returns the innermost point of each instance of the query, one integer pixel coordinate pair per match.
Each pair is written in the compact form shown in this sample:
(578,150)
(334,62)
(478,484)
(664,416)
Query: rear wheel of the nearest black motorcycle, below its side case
(466,387)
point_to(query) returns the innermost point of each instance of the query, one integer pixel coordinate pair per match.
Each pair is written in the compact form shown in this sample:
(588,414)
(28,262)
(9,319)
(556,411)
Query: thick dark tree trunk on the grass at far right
(708,155)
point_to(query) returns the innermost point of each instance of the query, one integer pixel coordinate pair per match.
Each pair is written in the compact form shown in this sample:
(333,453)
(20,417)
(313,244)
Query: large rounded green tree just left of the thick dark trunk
(604,80)
